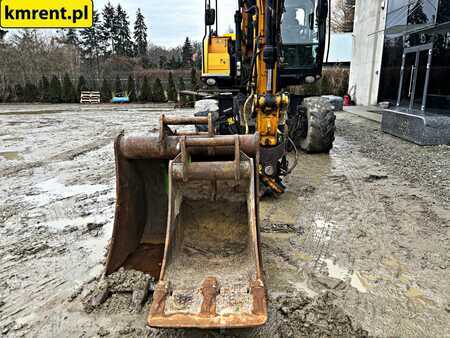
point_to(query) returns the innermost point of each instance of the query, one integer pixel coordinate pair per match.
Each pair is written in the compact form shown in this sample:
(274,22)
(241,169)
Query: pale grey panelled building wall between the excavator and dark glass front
(368,40)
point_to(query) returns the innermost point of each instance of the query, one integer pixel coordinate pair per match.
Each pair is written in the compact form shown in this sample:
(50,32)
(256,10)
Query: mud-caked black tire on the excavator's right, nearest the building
(318,135)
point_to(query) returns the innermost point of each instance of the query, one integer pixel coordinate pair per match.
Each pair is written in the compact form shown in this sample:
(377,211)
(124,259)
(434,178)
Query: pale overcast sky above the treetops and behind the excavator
(170,21)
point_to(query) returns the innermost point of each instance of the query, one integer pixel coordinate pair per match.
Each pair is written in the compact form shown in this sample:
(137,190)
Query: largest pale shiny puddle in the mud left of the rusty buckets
(53,190)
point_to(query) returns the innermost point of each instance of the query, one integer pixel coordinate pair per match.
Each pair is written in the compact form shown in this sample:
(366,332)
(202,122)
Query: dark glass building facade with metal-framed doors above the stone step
(415,71)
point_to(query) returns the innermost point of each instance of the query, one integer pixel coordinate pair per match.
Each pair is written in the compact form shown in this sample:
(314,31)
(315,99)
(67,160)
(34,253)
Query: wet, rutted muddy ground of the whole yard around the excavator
(359,245)
